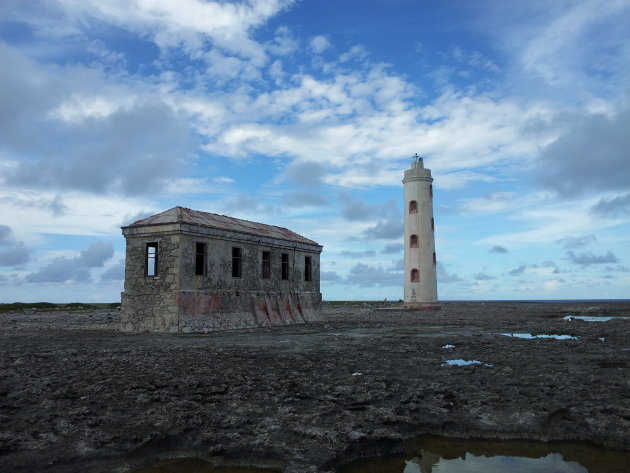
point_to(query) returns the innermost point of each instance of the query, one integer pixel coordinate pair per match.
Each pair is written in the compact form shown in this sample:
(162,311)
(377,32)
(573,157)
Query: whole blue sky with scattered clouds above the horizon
(305,114)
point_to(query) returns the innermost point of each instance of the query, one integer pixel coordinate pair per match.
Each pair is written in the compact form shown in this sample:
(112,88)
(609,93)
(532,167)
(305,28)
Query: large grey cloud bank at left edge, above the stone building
(76,128)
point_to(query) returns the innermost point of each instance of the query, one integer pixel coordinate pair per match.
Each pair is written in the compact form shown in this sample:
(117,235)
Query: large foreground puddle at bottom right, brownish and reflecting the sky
(439,455)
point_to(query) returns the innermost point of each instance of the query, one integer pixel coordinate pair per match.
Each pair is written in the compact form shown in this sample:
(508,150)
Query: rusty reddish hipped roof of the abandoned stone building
(205,219)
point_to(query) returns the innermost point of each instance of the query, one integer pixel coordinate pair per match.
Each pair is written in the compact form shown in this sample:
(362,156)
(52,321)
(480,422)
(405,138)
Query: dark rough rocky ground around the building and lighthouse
(76,395)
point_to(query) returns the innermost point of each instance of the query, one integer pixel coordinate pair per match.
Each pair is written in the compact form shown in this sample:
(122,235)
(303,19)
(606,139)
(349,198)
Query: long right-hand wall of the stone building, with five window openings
(217,301)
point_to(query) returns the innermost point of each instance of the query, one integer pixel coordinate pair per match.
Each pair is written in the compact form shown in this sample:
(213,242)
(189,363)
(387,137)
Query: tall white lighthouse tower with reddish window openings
(420,261)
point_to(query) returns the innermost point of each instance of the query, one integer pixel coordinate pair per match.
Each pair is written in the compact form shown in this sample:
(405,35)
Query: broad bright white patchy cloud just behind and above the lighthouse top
(343,120)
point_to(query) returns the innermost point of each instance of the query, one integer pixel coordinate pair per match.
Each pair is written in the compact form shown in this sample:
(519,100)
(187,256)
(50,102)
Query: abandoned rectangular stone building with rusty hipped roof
(192,271)
